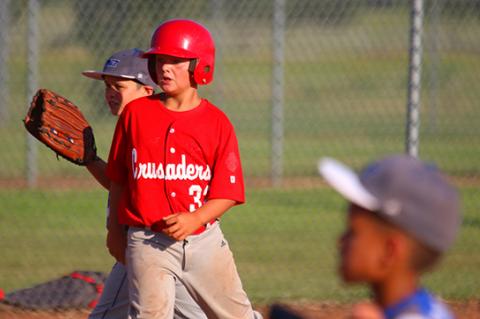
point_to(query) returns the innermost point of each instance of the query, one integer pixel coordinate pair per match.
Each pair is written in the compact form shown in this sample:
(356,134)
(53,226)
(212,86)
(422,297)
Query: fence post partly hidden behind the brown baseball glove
(32,75)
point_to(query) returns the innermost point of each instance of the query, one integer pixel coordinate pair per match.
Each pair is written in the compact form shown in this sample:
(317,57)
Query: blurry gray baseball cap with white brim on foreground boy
(411,194)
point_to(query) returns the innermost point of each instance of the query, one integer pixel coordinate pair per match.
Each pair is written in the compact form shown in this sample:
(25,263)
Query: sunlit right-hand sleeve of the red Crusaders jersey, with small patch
(227,177)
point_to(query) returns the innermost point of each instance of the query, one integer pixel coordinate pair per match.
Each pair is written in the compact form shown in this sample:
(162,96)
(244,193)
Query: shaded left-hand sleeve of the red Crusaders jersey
(116,166)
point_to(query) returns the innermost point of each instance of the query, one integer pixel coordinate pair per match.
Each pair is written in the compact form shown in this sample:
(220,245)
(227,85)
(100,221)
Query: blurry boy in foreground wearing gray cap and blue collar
(402,217)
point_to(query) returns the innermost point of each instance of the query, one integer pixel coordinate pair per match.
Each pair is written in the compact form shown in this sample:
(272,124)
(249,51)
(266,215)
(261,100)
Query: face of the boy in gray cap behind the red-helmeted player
(119,92)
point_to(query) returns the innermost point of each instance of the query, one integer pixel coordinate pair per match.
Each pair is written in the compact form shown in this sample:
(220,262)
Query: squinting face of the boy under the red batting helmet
(173,75)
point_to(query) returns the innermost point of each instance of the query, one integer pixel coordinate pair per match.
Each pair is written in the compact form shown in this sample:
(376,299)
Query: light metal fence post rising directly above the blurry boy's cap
(414,77)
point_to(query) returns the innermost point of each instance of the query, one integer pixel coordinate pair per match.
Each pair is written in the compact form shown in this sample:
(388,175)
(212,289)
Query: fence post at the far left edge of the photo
(4,48)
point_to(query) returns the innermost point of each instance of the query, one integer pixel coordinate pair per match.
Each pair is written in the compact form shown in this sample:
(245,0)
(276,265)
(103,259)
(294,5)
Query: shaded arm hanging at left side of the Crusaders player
(116,236)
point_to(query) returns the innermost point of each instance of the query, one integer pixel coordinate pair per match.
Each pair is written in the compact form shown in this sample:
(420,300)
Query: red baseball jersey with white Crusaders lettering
(173,161)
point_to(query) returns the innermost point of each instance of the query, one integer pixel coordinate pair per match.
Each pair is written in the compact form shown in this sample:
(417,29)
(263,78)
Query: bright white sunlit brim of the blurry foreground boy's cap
(346,182)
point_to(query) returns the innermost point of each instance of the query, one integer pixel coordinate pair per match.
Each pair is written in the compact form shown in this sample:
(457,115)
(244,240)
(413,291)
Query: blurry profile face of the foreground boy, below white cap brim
(361,247)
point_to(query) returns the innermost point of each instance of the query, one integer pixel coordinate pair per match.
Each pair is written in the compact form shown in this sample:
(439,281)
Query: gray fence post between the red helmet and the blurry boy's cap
(277,91)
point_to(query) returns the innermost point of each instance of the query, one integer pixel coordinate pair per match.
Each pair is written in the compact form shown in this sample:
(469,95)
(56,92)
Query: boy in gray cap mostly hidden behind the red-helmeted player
(125,75)
